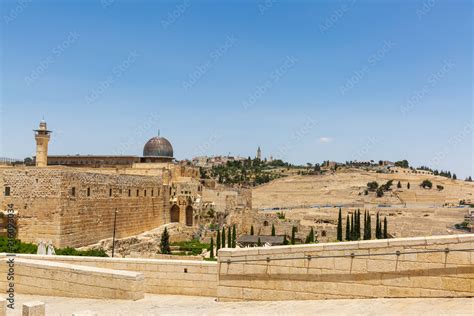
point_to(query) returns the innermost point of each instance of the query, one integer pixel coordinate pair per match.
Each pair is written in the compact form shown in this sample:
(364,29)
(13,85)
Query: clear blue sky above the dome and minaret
(306,80)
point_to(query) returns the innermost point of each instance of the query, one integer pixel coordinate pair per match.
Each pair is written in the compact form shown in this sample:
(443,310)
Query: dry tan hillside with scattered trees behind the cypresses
(411,212)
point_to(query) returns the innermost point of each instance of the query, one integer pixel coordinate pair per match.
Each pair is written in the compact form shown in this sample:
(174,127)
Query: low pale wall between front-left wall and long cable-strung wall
(178,277)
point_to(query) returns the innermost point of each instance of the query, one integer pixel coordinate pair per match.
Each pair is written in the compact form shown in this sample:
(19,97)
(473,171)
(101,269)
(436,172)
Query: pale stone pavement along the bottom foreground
(190,305)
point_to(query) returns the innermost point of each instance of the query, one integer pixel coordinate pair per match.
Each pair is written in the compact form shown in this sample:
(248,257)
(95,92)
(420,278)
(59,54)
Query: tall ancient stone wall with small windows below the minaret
(74,207)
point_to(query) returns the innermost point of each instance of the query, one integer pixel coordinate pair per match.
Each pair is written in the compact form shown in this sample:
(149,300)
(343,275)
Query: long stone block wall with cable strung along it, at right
(373,275)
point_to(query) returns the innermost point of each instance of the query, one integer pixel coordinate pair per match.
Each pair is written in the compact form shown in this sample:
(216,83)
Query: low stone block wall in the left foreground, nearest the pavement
(39,277)
